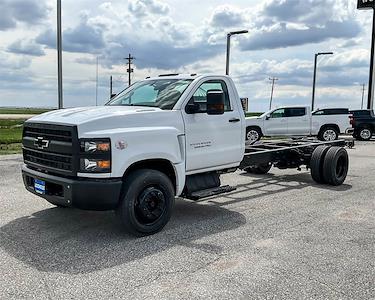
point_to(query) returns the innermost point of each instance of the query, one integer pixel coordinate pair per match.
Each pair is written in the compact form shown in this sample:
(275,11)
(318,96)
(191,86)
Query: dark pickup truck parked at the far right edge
(364,124)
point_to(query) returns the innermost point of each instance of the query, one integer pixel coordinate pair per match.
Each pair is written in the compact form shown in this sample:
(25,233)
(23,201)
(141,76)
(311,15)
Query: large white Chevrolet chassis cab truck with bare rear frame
(161,138)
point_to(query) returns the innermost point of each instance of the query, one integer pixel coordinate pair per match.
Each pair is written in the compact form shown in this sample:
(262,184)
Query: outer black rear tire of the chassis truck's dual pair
(336,166)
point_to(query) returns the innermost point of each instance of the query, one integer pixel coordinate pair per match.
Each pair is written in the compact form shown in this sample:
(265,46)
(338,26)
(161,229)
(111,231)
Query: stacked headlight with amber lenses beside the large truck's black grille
(95,155)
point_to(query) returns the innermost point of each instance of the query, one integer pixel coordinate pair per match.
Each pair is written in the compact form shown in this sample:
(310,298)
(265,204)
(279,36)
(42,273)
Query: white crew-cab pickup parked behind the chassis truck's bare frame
(299,121)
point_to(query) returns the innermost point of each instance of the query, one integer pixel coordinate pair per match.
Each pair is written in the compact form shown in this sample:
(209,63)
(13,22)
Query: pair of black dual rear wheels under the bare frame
(329,165)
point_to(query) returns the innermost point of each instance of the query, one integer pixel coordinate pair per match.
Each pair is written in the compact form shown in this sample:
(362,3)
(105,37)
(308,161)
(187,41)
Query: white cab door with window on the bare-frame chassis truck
(213,141)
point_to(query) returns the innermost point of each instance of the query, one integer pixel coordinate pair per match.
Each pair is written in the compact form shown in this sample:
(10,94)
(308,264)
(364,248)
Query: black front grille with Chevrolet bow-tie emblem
(51,148)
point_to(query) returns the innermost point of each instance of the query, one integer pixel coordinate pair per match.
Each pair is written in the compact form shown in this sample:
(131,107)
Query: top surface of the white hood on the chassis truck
(81,115)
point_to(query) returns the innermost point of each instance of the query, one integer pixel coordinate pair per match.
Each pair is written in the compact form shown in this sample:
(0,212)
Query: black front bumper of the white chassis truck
(82,193)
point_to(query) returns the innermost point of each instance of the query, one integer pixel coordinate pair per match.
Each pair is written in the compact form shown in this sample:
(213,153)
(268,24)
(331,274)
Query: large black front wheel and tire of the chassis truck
(146,203)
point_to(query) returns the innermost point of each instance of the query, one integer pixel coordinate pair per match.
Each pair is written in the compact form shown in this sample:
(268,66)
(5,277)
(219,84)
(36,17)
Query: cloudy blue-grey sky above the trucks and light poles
(186,37)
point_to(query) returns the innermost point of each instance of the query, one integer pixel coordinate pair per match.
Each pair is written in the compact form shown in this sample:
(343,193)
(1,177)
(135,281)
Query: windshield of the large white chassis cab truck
(161,93)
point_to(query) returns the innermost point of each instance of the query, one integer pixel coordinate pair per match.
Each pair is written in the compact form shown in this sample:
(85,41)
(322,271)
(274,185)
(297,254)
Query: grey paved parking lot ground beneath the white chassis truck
(279,236)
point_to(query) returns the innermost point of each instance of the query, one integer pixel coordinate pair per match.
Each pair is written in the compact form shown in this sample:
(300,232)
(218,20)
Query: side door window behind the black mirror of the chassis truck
(200,96)
